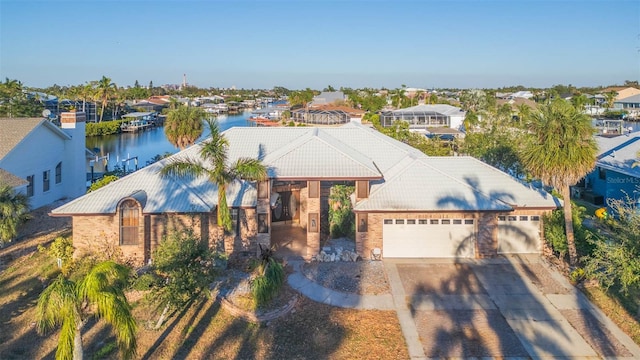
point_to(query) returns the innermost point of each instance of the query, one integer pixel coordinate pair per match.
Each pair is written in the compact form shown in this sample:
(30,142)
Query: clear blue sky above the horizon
(299,44)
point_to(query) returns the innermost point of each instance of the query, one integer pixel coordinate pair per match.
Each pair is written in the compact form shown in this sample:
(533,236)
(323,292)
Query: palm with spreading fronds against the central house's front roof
(214,165)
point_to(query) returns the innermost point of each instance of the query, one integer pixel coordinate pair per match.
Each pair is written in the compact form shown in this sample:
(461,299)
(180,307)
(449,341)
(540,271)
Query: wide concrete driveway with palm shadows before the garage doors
(506,307)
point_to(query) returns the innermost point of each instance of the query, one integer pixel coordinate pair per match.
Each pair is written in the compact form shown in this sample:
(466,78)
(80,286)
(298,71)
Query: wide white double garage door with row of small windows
(417,238)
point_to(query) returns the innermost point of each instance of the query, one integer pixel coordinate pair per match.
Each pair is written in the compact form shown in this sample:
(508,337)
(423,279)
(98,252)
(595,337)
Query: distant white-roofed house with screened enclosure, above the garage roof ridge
(423,117)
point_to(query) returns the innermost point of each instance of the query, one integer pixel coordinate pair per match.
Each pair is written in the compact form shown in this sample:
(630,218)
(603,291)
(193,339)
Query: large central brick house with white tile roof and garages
(406,204)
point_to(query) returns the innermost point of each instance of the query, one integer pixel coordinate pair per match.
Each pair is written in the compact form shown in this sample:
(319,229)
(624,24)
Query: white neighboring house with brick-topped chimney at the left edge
(50,159)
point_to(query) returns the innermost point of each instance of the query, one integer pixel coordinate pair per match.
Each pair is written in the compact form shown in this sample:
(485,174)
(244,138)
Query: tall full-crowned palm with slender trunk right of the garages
(561,151)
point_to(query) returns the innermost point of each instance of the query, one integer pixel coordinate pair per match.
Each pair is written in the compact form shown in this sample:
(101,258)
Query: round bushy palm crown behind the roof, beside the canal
(183,126)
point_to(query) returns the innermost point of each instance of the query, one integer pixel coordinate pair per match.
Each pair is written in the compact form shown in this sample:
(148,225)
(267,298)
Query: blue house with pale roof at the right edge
(614,176)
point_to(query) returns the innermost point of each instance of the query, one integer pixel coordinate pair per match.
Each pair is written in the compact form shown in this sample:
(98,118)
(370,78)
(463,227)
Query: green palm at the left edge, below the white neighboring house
(14,209)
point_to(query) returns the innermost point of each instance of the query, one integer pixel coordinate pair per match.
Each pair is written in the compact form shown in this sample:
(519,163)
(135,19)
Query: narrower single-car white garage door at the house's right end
(519,234)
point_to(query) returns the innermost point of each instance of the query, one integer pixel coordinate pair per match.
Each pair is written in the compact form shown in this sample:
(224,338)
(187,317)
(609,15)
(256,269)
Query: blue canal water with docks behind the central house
(127,148)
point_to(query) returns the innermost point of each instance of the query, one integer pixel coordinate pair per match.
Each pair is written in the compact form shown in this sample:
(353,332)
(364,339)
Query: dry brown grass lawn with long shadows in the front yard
(204,330)
